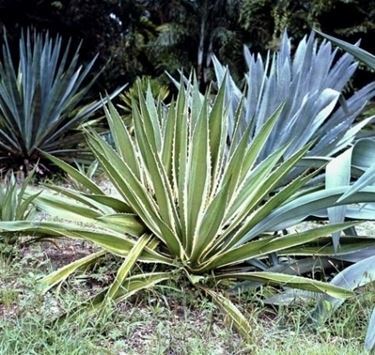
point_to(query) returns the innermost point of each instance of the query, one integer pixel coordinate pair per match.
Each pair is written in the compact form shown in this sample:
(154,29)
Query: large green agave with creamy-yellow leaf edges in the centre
(191,204)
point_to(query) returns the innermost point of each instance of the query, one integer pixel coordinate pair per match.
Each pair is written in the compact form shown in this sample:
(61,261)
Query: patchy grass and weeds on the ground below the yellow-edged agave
(164,321)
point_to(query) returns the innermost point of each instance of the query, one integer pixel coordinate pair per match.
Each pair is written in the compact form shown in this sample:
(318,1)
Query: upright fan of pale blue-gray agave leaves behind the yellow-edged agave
(309,83)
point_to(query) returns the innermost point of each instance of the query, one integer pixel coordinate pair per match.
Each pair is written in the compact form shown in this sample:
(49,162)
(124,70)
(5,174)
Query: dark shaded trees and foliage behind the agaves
(147,37)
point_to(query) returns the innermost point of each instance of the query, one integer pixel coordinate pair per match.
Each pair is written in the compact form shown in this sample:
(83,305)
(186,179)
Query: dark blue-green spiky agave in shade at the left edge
(42,101)
